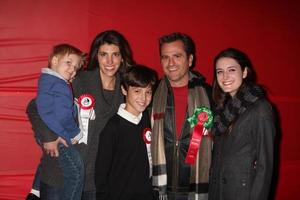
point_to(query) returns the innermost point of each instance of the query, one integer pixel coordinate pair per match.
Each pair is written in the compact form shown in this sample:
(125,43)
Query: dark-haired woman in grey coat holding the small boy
(98,90)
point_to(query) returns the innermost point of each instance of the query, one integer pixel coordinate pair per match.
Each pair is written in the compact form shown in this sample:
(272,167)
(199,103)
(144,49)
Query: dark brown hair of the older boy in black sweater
(139,76)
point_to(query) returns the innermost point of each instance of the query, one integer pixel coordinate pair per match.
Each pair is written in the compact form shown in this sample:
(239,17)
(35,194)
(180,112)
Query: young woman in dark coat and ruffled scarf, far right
(244,131)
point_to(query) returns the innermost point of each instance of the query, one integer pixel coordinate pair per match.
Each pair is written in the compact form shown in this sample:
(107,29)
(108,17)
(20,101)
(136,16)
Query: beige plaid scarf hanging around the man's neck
(197,96)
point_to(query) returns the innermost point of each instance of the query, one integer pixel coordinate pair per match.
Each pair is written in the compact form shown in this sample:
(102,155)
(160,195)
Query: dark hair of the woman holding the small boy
(110,37)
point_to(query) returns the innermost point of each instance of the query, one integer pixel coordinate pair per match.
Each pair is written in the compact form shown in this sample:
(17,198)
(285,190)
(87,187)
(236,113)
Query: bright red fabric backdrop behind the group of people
(267,30)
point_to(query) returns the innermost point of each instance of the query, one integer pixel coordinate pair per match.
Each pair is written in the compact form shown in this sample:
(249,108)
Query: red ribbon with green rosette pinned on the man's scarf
(201,119)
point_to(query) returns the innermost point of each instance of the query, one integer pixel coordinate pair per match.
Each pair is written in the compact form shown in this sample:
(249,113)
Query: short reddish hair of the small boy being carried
(66,49)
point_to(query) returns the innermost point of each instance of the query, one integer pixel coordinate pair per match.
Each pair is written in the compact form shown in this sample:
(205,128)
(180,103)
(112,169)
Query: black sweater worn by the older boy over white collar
(122,166)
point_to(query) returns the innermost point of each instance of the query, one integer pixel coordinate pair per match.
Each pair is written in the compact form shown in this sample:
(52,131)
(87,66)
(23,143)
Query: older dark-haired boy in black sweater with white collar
(123,165)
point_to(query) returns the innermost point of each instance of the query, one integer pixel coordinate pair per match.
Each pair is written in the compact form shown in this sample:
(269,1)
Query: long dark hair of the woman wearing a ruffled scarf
(243,60)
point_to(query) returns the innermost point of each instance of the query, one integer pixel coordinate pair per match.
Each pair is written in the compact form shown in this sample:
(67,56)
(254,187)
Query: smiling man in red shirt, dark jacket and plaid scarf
(178,94)
